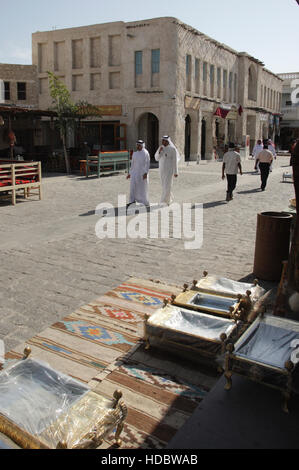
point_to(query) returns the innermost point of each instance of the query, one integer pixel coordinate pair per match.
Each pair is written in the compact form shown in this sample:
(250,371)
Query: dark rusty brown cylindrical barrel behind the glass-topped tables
(272,244)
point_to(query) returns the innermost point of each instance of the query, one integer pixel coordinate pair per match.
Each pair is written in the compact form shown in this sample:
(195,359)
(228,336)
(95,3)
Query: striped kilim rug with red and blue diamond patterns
(100,344)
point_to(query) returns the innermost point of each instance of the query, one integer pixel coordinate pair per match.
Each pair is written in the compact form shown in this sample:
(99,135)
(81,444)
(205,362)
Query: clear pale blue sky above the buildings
(266,29)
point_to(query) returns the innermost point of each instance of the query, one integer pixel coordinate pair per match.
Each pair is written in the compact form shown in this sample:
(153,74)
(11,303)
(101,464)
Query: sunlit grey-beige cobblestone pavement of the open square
(52,262)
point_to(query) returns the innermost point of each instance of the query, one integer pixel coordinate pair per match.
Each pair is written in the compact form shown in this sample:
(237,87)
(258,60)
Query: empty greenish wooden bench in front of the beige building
(107,162)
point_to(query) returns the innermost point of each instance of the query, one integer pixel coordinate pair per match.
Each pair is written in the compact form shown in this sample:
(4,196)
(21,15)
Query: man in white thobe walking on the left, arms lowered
(139,175)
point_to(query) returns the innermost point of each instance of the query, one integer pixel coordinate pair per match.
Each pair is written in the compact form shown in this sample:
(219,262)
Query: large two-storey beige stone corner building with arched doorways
(157,77)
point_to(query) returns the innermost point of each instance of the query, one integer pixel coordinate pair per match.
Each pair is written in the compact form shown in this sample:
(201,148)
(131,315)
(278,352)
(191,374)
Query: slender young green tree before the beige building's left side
(67,112)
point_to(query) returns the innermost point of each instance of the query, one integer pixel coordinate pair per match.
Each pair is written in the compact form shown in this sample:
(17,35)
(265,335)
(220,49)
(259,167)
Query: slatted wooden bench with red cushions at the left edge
(24,176)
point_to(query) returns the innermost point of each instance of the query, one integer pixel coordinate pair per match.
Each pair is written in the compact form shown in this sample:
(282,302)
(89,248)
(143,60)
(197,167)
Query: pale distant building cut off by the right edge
(289,109)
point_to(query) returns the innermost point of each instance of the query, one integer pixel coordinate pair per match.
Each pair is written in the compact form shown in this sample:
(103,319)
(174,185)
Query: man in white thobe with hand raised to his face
(167,155)
